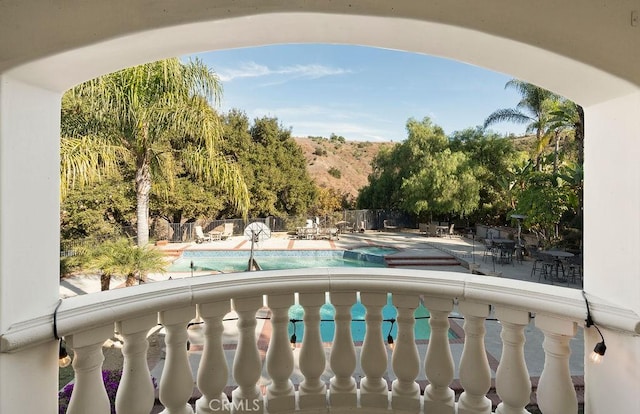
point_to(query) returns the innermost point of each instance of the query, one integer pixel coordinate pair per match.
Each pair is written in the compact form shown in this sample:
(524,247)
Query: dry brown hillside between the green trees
(350,160)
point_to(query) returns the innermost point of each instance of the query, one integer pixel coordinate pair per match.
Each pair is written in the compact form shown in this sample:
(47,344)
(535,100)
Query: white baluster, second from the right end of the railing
(513,384)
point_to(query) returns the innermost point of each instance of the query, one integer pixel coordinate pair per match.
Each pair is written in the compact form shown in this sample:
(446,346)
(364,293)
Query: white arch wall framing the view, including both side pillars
(587,52)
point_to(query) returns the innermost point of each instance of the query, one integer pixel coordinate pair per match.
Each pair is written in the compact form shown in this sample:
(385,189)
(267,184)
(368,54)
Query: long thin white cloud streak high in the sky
(255,70)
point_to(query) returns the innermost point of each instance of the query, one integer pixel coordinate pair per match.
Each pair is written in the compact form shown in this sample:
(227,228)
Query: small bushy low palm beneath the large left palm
(121,257)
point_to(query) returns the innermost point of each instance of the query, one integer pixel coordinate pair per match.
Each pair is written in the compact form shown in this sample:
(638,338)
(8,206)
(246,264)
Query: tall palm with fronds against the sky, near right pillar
(533,110)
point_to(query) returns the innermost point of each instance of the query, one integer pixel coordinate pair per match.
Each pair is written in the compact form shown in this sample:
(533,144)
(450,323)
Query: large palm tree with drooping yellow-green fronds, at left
(149,117)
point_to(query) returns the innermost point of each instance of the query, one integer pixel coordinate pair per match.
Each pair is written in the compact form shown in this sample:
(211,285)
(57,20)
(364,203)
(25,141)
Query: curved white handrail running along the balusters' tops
(83,312)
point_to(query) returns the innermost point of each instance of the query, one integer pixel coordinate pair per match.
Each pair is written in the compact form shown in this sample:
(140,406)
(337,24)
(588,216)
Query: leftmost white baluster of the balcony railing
(89,394)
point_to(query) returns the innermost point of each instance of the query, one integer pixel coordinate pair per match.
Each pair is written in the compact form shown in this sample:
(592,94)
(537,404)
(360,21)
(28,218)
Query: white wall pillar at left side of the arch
(29,238)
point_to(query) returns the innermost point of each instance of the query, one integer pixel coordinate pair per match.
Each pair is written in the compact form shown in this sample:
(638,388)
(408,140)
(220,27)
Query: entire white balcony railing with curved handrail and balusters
(87,321)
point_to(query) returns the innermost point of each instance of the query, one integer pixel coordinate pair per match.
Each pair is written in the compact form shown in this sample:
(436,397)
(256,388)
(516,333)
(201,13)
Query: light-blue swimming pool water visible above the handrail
(236,261)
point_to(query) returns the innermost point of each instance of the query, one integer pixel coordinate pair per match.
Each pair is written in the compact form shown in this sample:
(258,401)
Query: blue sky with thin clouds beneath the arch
(358,92)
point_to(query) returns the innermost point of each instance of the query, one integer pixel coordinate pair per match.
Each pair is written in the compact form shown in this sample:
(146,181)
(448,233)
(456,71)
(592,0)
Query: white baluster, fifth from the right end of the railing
(405,392)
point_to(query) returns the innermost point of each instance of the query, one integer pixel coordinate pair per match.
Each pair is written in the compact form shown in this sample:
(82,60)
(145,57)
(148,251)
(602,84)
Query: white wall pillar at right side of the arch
(612,246)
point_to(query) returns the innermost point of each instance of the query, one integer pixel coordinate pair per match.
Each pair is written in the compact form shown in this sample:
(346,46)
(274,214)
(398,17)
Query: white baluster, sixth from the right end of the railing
(374,390)
